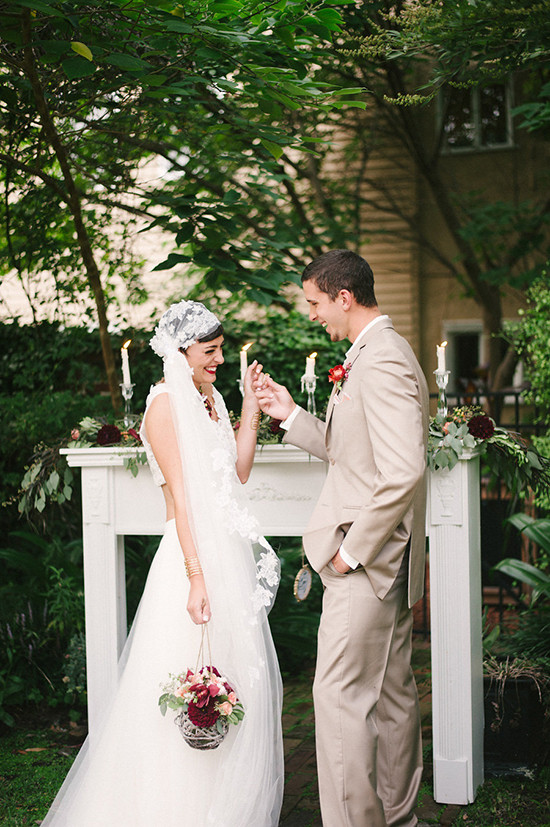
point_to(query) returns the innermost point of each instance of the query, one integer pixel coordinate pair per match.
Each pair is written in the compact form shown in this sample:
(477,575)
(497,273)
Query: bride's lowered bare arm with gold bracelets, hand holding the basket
(162,436)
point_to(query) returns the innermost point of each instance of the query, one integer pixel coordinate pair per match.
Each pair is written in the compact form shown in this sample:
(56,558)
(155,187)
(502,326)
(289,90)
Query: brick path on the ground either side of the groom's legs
(301,799)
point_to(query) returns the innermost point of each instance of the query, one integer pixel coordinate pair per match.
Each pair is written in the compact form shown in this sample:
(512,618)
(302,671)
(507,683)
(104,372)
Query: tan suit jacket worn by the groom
(374,439)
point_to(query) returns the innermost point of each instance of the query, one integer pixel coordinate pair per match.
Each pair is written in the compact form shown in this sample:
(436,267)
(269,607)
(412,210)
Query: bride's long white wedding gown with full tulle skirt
(136,770)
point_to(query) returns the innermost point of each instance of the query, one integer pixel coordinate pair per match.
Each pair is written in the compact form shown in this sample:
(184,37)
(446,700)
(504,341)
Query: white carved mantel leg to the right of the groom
(455,610)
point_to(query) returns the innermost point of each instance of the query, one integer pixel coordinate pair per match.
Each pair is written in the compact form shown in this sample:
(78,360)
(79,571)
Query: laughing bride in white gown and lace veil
(212,566)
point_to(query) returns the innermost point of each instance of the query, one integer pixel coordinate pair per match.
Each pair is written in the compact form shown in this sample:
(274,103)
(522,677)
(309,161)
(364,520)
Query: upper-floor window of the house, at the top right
(477,117)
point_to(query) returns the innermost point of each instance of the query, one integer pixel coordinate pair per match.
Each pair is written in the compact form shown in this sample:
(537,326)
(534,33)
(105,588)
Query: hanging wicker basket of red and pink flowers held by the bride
(205,701)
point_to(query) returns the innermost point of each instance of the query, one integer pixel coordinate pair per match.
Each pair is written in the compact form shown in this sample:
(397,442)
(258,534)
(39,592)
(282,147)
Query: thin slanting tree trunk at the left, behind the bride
(73,201)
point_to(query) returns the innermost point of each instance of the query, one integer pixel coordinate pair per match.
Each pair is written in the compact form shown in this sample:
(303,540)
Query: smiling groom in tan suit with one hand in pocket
(366,539)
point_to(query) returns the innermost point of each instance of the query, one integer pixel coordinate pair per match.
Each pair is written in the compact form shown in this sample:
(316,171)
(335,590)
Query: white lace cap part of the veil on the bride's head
(182,325)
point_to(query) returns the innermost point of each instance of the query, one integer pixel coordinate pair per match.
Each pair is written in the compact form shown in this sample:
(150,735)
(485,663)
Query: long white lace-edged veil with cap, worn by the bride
(216,503)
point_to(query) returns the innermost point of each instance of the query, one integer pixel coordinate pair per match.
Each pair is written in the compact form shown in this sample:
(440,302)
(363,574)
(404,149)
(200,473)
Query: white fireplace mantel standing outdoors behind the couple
(284,486)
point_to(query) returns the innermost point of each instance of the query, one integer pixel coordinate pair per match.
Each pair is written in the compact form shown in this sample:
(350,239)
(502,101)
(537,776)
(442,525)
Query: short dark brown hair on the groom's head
(342,270)
